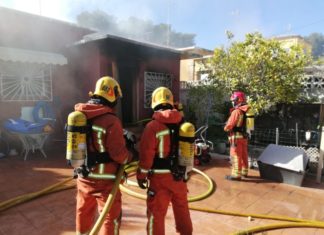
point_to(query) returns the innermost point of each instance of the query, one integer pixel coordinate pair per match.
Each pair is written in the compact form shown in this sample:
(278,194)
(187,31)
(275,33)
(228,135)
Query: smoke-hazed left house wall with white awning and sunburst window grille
(33,64)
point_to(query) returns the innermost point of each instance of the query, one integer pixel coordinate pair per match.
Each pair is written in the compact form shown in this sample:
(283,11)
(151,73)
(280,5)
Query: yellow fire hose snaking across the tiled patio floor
(290,222)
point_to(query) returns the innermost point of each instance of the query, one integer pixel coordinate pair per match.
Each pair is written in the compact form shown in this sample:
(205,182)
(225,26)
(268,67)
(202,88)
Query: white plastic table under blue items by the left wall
(32,142)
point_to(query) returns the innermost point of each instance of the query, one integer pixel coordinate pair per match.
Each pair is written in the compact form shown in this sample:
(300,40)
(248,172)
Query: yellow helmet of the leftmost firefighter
(108,88)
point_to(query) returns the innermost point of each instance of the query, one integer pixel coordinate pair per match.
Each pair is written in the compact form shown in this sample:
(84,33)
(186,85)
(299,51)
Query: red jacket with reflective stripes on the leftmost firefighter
(107,135)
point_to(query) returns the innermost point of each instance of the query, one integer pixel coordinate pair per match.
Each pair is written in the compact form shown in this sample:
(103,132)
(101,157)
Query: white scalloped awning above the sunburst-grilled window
(31,56)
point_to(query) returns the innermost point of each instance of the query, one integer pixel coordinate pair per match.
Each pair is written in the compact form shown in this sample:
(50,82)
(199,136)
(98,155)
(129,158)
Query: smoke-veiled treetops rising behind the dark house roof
(135,28)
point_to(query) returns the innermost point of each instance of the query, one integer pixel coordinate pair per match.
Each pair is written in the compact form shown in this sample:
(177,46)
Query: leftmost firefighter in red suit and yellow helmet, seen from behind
(106,150)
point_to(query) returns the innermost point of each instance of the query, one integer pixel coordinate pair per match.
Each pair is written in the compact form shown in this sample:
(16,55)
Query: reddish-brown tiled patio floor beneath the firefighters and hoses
(54,214)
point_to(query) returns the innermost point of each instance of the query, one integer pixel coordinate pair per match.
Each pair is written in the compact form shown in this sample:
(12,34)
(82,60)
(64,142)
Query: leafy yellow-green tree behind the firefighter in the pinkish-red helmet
(266,72)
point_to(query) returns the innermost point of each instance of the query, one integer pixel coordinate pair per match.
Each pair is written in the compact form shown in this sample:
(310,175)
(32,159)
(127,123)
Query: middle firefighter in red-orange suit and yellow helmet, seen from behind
(163,181)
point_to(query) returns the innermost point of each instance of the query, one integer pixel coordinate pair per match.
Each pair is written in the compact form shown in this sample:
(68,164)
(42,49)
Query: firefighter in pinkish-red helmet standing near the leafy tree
(238,137)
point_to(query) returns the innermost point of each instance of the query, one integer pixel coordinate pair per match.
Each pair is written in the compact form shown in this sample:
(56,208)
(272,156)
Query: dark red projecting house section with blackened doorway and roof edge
(139,67)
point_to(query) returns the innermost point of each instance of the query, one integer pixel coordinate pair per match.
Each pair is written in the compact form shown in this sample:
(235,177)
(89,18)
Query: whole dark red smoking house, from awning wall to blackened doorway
(43,59)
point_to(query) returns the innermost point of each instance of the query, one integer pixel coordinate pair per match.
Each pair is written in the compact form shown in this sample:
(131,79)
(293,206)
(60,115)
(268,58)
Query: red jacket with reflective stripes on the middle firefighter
(155,140)
